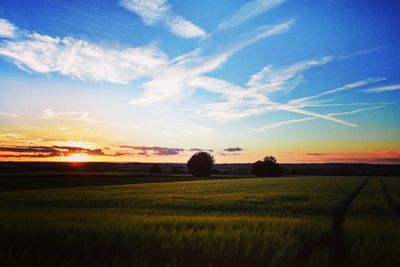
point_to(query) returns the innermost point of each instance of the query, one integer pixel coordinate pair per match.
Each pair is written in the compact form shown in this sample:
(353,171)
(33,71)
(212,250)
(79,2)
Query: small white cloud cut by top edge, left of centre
(159,11)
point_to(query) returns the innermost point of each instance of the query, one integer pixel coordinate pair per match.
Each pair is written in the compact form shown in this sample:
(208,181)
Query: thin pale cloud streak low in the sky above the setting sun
(81,117)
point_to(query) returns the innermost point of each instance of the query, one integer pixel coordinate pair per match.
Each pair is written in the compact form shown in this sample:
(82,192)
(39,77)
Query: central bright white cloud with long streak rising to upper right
(186,73)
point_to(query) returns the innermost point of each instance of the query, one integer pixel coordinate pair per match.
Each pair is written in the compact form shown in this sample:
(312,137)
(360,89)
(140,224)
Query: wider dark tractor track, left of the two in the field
(334,240)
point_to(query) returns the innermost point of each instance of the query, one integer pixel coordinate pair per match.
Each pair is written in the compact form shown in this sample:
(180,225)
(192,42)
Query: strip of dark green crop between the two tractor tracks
(371,231)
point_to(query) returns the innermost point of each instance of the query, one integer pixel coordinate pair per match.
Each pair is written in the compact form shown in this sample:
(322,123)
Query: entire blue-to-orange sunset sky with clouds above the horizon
(158,80)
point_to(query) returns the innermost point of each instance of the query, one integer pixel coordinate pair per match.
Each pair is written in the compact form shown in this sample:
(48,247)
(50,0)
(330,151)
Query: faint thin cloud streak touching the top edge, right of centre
(248,11)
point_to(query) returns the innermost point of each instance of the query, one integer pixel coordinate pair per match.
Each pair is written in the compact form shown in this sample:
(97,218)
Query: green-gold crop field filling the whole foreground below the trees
(291,221)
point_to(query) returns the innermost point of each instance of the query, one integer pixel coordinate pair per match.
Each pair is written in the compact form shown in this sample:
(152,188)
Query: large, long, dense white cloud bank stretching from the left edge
(82,60)
